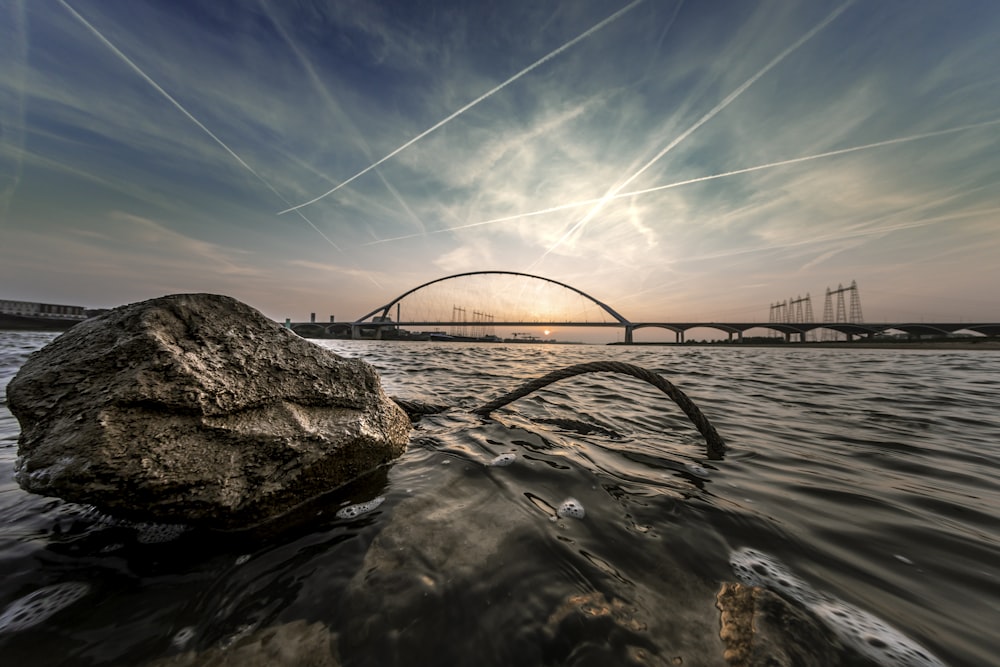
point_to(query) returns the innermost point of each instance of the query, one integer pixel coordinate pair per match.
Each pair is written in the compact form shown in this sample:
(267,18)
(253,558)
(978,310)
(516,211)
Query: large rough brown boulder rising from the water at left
(195,408)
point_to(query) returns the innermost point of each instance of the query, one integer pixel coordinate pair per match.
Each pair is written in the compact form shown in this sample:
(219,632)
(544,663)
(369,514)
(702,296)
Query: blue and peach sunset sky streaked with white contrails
(679,161)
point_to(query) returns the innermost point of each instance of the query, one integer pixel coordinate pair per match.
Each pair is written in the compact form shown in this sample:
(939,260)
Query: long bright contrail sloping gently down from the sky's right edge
(702,179)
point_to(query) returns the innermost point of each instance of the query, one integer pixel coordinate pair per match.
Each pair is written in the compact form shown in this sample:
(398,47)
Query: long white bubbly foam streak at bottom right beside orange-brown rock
(865,632)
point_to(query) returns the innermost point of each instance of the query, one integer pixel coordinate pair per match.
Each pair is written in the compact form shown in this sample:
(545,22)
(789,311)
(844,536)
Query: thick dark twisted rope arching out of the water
(715,445)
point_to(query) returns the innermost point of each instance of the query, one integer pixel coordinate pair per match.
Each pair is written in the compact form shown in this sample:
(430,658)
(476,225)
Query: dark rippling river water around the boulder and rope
(868,477)
